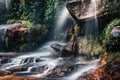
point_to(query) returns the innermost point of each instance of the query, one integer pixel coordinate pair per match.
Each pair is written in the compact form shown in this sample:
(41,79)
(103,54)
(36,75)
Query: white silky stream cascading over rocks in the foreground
(75,68)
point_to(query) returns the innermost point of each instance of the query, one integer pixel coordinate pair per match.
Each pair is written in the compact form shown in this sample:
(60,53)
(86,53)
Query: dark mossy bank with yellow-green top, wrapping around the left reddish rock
(36,33)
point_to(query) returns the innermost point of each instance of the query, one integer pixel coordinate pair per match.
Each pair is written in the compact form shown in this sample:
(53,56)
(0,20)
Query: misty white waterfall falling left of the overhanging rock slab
(58,31)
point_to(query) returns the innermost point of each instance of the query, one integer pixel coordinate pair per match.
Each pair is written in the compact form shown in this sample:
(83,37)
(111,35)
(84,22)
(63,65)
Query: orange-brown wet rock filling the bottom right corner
(108,71)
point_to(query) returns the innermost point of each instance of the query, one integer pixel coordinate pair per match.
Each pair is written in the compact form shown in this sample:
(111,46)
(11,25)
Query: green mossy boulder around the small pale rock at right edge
(111,43)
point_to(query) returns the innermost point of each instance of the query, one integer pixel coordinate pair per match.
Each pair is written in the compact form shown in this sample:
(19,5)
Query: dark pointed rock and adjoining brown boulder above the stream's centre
(69,50)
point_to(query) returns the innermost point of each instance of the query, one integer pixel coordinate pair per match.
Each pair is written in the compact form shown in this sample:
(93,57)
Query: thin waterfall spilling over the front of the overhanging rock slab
(91,27)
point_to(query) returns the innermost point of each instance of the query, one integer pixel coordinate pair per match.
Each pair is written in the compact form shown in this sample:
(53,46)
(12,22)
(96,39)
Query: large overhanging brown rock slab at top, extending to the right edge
(88,9)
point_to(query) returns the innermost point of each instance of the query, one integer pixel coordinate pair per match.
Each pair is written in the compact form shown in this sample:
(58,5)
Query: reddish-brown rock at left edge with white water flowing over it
(14,32)
